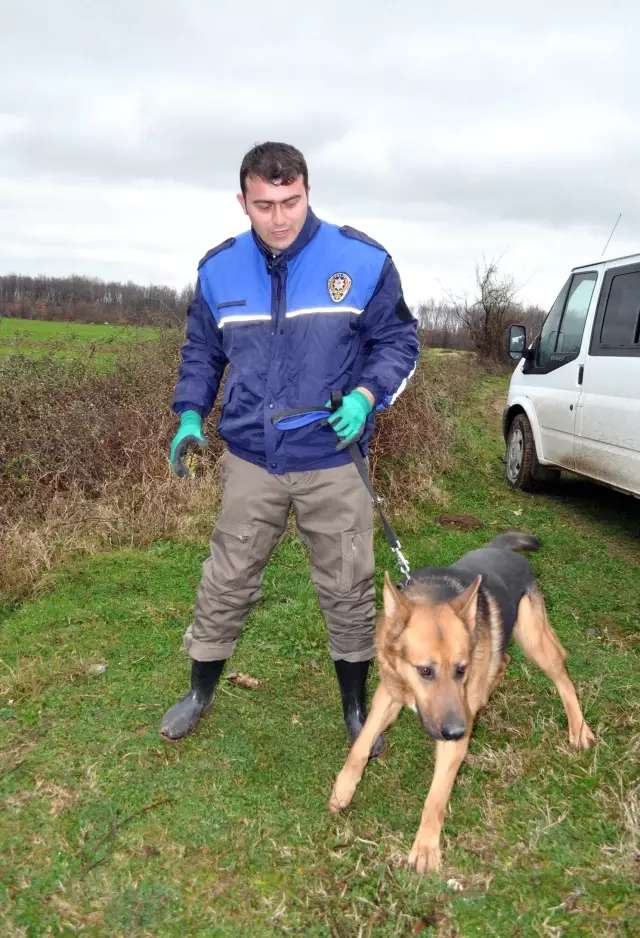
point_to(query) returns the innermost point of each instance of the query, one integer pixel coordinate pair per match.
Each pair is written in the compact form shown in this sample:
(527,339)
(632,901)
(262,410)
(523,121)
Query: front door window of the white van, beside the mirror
(562,341)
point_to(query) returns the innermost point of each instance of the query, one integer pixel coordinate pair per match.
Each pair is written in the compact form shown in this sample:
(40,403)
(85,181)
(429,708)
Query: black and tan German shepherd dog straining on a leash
(441,651)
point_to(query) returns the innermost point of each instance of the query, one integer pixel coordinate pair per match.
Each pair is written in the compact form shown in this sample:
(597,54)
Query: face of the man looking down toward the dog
(277,212)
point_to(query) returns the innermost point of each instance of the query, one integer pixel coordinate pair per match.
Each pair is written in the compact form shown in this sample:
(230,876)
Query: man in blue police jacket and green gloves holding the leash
(295,308)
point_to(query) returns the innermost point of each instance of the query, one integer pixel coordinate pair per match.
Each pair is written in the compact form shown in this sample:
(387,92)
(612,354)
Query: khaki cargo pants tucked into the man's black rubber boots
(334,517)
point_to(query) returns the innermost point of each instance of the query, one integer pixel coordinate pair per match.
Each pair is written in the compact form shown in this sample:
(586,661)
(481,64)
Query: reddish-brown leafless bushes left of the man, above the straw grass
(66,428)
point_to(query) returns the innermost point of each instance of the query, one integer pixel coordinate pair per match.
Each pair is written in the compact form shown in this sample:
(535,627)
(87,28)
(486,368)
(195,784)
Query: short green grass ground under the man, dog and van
(228,834)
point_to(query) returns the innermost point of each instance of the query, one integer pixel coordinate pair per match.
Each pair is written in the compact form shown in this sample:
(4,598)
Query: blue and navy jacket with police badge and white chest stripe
(287,342)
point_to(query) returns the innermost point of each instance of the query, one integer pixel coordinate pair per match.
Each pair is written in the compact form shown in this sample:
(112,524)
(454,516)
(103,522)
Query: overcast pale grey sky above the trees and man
(445,131)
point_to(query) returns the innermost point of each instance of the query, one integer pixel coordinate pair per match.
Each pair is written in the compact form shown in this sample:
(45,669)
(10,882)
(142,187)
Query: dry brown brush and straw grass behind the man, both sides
(83,455)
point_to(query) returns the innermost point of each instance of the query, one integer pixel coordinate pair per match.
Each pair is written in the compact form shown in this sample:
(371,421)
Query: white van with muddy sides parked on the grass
(574,398)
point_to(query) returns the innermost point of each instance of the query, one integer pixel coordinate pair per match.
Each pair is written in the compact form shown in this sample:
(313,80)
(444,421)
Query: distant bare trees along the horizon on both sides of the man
(476,321)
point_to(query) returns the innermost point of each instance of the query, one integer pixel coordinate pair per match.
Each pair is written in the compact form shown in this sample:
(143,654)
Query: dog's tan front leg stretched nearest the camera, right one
(425,853)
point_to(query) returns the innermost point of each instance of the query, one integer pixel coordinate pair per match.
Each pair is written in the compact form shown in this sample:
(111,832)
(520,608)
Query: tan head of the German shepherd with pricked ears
(429,646)
